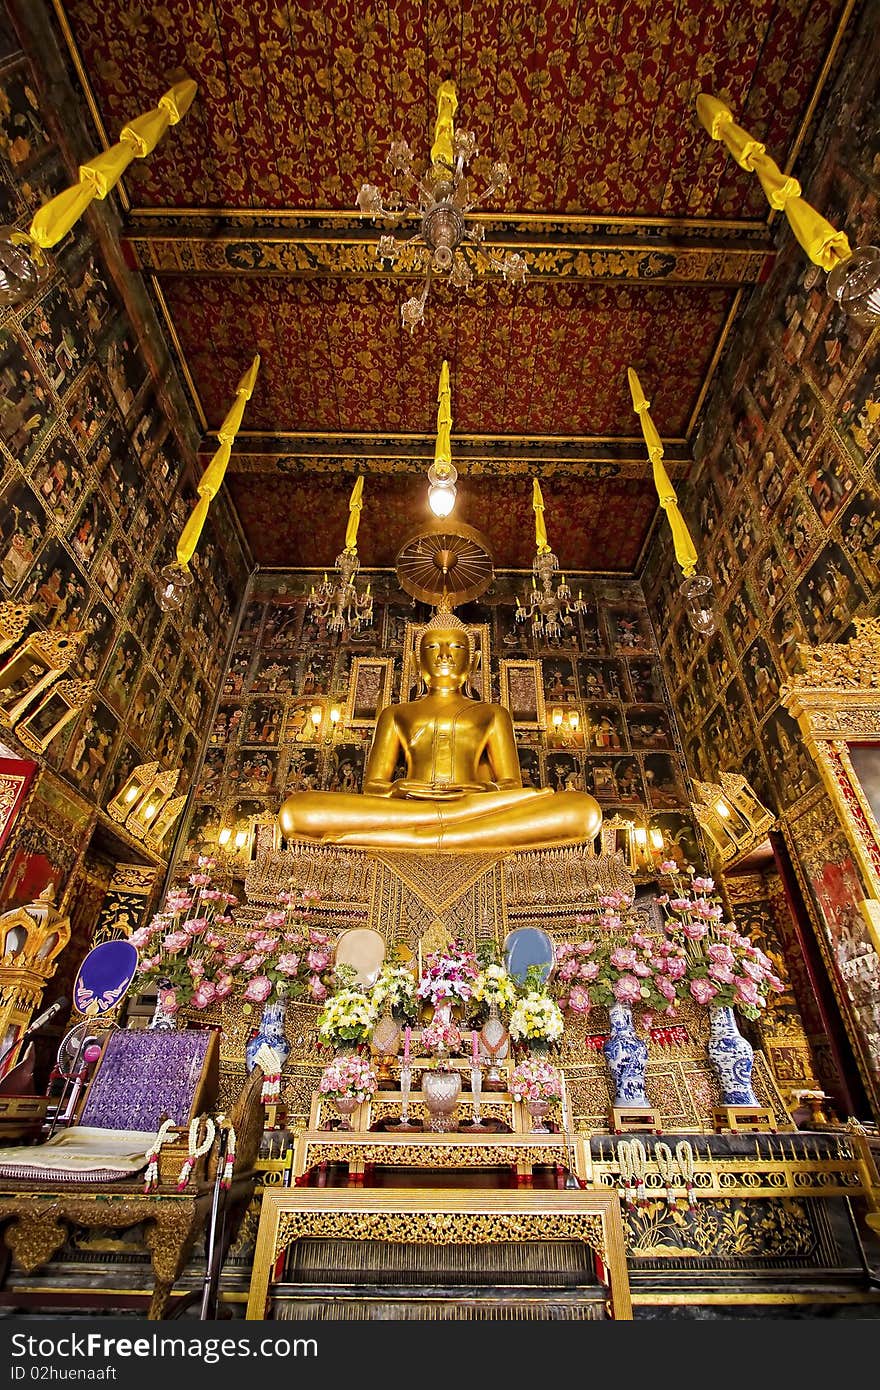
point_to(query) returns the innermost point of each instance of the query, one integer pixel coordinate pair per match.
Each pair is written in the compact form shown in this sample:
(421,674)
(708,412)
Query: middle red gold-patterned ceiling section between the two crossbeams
(551,362)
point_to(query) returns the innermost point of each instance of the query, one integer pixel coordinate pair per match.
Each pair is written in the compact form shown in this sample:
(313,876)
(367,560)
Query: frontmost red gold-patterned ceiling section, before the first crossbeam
(593,105)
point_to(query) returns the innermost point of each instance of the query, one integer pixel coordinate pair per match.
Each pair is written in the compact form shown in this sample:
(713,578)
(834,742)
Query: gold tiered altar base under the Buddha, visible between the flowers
(427,899)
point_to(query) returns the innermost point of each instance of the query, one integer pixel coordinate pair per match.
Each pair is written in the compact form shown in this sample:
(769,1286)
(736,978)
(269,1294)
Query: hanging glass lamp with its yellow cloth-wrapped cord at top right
(854,276)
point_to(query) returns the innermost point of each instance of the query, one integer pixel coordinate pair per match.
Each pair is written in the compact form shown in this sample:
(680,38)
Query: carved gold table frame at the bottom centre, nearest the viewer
(440,1217)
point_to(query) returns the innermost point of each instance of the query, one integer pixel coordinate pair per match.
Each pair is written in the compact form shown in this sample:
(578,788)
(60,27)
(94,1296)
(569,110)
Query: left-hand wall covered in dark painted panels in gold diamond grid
(90,475)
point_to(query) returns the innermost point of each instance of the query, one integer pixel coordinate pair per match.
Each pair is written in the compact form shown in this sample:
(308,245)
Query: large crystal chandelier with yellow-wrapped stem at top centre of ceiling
(446,243)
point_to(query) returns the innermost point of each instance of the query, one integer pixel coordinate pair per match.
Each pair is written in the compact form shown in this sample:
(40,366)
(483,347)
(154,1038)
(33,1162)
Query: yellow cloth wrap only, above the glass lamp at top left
(102,173)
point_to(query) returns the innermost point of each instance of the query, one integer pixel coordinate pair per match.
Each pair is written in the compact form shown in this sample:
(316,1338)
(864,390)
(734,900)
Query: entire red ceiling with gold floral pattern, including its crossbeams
(592,102)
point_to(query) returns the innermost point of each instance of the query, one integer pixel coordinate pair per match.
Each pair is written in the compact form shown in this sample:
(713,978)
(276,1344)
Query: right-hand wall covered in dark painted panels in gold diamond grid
(786,511)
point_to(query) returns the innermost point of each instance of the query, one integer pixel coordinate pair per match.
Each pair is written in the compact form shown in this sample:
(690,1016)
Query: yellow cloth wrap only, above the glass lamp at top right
(825,247)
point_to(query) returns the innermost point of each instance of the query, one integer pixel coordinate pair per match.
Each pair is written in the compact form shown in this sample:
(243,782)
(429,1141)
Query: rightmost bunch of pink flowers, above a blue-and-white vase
(722,967)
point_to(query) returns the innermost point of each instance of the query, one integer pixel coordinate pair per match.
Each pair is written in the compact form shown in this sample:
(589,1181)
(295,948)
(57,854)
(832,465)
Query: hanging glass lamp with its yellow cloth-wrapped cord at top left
(23,265)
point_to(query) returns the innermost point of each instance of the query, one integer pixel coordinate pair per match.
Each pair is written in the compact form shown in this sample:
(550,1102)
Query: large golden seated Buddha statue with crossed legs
(462,789)
